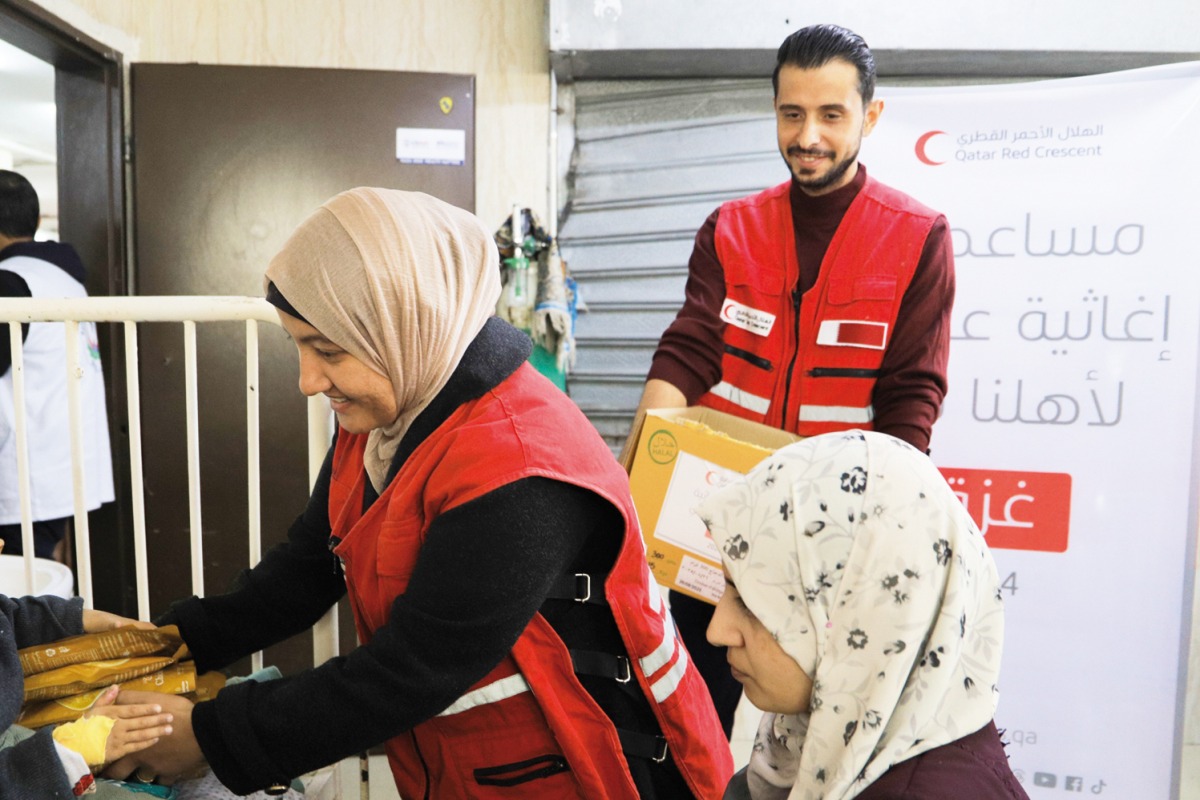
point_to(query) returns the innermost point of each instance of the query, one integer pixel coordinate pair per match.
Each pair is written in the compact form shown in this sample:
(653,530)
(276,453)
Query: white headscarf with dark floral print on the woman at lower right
(854,552)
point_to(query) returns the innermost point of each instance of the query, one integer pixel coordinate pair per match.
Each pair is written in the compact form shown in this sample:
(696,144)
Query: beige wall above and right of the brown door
(502,44)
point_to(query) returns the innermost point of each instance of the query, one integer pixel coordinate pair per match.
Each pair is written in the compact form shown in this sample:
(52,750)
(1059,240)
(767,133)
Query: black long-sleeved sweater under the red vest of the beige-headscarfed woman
(469,600)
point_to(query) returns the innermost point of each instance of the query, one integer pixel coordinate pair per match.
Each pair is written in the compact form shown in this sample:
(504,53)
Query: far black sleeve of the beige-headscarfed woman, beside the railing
(285,594)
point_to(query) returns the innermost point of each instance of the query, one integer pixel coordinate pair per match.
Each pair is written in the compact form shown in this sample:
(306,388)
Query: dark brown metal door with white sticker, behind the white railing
(226,161)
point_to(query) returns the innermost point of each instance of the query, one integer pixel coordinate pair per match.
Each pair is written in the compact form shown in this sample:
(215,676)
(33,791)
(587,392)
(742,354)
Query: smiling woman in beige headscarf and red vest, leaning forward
(514,643)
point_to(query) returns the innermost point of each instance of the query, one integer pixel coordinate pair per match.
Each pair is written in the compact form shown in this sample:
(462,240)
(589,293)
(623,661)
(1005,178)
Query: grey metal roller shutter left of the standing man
(652,161)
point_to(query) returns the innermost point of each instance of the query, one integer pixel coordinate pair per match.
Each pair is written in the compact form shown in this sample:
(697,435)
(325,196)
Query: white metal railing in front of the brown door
(130,311)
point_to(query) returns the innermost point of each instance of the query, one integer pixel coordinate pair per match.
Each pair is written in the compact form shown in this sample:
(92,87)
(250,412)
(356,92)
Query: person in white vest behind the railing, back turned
(34,269)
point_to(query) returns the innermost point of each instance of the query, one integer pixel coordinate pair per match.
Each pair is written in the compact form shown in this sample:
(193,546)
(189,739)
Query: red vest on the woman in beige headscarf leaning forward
(530,718)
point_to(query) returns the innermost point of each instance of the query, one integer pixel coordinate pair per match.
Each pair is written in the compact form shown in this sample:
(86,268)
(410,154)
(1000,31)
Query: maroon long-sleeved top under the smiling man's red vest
(913,378)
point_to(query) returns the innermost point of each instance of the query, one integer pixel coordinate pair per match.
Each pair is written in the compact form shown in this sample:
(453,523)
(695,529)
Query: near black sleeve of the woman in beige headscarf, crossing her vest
(483,573)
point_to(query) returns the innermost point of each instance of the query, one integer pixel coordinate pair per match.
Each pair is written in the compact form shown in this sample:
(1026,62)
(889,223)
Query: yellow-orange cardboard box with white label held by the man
(682,456)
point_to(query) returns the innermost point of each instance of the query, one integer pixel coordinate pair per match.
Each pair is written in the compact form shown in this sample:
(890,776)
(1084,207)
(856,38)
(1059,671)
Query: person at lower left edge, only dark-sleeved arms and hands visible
(47,763)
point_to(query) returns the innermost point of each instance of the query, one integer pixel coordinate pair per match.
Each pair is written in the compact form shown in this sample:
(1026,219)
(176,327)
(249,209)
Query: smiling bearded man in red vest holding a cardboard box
(823,304)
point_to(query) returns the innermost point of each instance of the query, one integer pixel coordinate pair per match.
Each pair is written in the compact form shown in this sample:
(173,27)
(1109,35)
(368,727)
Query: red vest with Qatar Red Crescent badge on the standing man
(811,368)
